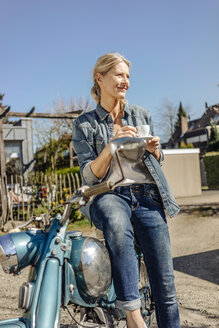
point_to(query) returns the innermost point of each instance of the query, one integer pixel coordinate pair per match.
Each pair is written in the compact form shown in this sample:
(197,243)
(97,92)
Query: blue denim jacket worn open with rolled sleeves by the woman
(92,132)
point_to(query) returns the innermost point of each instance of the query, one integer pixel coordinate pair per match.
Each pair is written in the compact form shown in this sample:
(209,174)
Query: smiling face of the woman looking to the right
(115,82)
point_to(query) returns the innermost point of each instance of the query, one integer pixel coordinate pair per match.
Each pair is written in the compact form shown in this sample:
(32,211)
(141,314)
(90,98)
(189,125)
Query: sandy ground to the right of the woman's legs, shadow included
(195,244)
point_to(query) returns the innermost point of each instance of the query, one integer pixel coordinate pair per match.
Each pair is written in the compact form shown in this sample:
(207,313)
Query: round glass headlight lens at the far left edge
(8,254)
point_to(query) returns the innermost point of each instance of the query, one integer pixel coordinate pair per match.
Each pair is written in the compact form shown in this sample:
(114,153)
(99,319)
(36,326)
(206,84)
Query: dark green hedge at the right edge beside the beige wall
(211,161)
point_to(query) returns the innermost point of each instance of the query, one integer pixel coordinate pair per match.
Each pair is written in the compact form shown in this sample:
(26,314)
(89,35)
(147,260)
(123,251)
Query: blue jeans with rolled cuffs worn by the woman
(138,210)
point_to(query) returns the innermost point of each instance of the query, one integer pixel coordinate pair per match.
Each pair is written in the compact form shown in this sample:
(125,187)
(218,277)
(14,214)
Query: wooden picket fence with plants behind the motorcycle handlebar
(28,196)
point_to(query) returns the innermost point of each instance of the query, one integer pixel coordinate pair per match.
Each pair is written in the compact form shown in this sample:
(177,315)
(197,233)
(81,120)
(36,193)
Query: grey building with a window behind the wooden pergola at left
(18,143)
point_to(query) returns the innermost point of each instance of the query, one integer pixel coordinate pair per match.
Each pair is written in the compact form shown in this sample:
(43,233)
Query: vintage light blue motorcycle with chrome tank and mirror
(70,270)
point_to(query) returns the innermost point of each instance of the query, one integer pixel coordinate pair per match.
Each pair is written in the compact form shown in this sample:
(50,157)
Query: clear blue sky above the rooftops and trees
(49,47)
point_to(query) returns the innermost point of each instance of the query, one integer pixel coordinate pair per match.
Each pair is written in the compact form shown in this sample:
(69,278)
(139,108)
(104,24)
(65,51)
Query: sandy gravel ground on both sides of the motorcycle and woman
(195,244)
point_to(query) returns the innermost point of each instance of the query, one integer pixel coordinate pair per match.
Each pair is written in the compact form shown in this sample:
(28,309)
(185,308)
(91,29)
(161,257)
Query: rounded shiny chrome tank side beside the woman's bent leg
(91,263)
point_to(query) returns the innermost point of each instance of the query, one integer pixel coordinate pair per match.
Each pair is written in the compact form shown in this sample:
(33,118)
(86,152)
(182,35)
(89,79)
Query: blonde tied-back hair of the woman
(103,66)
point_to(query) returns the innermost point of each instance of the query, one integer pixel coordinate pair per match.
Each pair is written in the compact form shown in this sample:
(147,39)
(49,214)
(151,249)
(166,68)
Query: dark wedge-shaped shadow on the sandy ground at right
(202,265)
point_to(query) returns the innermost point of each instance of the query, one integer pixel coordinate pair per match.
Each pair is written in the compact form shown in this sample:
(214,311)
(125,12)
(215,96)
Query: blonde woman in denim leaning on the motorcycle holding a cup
(138,207)
